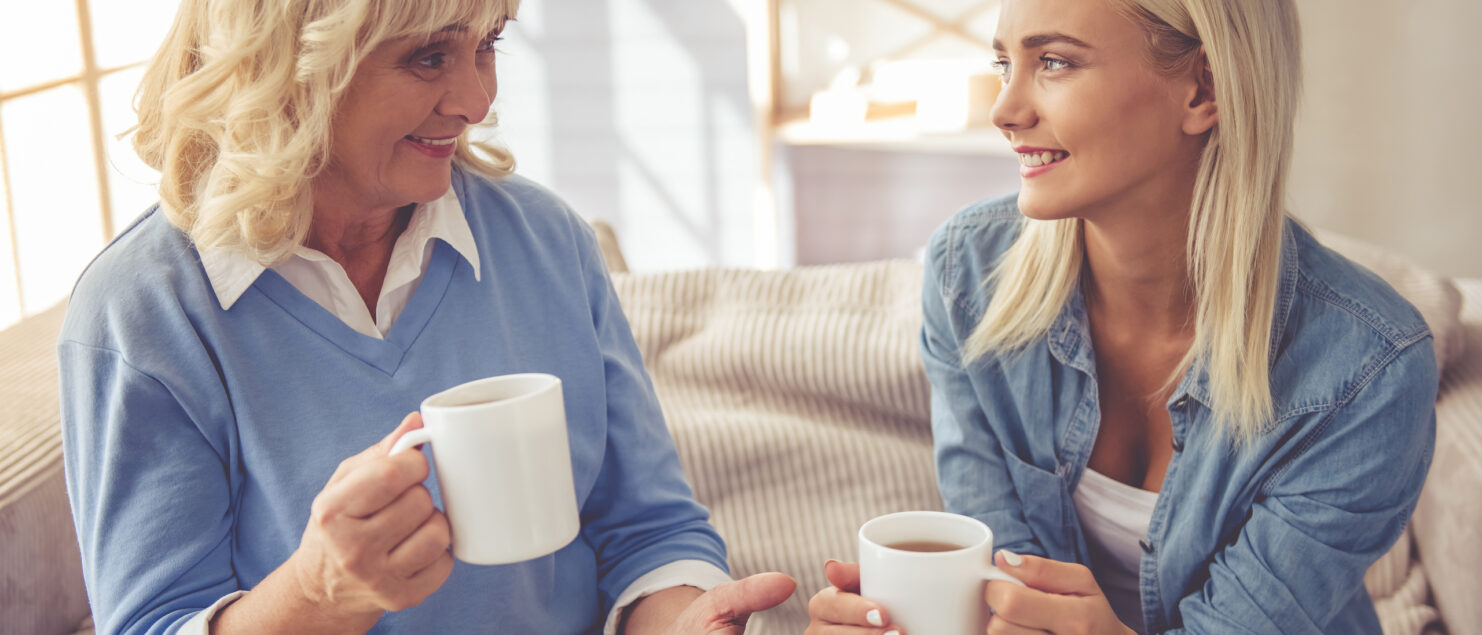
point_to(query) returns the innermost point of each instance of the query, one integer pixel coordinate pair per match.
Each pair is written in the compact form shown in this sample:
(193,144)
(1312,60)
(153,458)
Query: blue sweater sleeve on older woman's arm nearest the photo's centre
(641,514)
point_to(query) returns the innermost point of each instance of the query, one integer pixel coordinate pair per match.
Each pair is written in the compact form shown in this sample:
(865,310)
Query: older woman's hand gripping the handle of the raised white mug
(374,539)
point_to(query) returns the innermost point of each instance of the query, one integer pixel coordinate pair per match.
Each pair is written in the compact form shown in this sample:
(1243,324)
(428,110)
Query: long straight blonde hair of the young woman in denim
(1235,232)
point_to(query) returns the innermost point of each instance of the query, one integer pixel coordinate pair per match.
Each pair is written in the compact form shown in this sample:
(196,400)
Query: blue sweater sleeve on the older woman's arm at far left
(149,493)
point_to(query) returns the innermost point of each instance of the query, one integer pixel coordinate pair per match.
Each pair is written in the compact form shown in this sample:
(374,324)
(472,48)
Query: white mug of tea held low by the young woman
(937,593)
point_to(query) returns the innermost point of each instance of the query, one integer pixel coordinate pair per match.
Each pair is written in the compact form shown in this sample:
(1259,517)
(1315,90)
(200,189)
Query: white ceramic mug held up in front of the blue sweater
(503,464)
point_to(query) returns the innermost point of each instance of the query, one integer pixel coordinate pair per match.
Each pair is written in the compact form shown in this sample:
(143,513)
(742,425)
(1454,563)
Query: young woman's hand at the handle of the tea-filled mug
(1060,599)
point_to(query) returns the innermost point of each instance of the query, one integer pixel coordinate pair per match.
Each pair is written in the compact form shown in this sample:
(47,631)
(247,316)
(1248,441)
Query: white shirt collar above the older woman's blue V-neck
(230,272)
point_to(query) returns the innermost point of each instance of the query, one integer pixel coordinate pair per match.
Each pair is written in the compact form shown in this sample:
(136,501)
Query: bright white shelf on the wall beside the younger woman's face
(897,134)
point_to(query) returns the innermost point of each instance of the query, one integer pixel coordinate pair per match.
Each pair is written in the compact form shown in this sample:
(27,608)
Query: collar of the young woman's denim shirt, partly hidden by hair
(1071,335)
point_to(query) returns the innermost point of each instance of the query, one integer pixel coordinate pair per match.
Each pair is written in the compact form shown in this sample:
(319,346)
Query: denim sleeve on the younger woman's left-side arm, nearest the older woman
(971,471)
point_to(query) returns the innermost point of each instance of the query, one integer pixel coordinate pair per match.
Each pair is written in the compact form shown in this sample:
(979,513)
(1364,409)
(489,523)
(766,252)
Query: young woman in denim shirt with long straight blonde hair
(1176,409)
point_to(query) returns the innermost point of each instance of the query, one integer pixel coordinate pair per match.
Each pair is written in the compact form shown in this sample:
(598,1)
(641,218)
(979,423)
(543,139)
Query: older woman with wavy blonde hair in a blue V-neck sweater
(330,250)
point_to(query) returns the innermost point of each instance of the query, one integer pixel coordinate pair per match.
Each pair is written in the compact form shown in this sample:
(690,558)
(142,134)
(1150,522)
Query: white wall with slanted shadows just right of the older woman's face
(638,112)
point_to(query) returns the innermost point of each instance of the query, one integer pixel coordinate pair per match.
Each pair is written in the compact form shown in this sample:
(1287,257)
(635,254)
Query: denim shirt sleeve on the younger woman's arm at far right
(1332,513)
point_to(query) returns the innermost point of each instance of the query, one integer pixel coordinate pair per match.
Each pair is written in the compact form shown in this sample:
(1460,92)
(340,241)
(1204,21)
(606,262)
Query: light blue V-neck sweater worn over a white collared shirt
(196,438)
